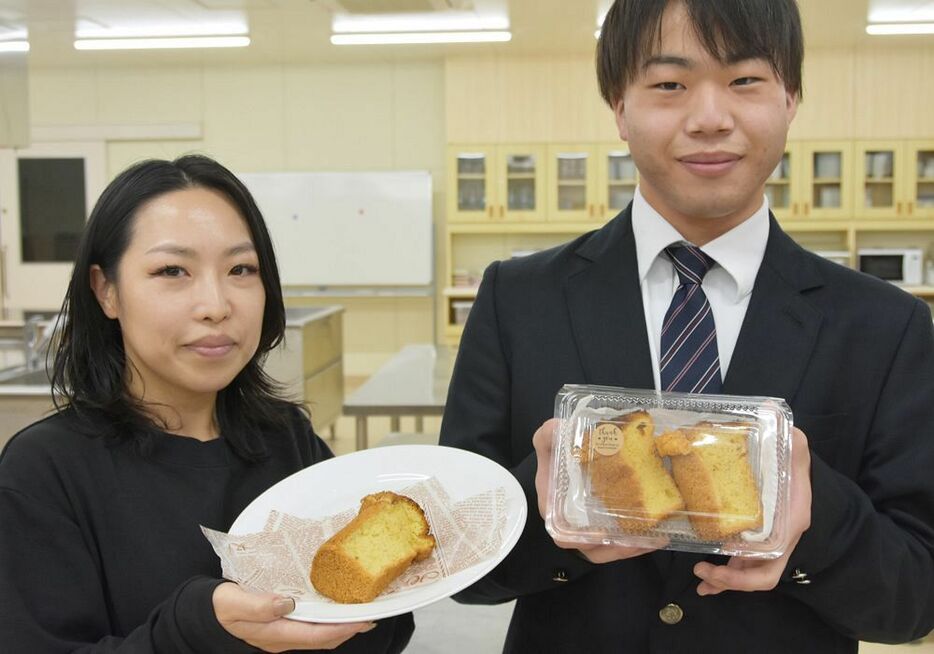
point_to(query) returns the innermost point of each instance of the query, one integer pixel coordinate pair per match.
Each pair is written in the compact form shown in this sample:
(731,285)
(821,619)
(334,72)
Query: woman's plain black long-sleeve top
(100,546)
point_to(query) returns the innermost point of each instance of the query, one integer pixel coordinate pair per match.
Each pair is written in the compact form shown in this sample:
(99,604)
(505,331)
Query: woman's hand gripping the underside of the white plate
(256,618)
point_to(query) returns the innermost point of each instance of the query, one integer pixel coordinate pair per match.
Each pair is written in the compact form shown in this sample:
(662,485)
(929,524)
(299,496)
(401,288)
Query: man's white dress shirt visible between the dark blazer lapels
(728,285)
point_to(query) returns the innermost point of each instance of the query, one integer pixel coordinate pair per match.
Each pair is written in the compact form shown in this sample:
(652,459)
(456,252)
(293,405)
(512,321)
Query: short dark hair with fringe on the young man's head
(730,30)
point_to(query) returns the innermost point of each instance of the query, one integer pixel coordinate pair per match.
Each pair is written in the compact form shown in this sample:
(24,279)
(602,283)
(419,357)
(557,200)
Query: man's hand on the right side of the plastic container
(757,574)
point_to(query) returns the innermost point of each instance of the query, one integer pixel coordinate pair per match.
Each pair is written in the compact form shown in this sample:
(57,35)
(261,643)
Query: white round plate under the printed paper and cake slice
(338,484)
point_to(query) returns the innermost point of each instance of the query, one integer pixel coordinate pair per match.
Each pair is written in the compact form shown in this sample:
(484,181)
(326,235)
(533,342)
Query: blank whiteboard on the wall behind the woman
(348,229)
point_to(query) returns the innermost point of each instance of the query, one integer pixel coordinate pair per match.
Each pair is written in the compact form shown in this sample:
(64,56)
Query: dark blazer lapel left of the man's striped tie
(604,302)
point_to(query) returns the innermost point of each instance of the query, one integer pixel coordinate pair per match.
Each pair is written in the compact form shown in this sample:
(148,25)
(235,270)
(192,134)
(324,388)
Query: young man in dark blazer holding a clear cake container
(704,91)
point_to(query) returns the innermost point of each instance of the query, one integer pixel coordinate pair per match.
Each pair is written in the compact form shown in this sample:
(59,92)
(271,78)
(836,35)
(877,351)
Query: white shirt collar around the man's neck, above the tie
(739,251)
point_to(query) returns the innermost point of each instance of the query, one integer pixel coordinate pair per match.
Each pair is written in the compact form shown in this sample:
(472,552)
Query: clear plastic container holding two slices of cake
(695,473)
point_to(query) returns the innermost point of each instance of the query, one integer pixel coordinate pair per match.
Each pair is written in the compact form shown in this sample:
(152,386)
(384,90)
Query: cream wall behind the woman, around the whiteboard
(380,116)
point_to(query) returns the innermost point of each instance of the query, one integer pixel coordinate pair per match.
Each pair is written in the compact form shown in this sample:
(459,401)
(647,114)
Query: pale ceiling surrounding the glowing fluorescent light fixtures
(297,31)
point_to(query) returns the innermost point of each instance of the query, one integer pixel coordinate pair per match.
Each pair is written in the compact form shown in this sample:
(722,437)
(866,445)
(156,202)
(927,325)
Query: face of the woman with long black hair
(188,297)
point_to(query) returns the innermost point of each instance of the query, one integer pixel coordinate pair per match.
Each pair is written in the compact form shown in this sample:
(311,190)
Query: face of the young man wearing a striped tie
(704,135)
